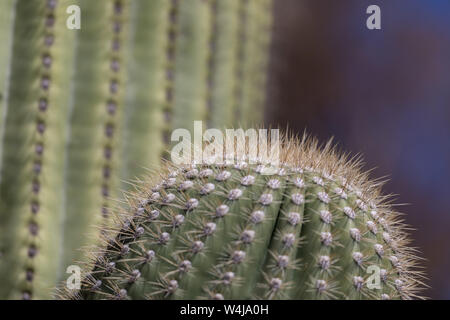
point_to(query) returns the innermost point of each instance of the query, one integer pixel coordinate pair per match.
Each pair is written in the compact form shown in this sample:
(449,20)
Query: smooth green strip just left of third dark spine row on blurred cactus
(144,120)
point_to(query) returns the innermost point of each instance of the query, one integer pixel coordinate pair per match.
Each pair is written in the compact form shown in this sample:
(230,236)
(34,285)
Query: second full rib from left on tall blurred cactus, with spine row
(92,156)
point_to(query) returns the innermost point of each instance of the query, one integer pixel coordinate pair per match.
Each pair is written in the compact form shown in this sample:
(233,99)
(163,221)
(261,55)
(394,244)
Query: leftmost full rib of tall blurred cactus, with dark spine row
(33,145)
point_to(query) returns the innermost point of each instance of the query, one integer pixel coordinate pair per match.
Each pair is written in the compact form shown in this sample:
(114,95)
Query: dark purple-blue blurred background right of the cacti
(384,93)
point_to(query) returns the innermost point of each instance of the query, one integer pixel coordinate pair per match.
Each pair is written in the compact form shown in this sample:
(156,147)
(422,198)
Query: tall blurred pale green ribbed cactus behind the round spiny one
(83,110)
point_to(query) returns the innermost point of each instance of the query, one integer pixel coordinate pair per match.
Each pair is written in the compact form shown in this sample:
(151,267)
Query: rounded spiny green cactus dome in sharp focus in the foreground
(311,231)
